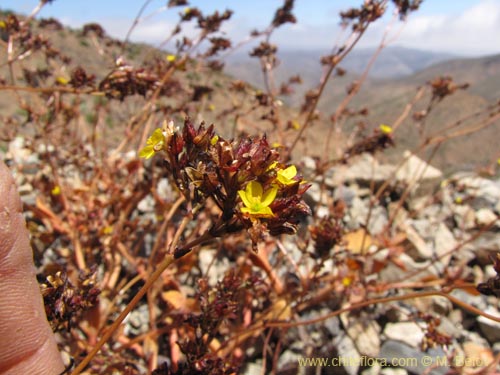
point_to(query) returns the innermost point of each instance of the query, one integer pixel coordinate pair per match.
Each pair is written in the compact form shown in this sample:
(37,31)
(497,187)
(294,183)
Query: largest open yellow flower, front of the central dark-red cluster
(257,201)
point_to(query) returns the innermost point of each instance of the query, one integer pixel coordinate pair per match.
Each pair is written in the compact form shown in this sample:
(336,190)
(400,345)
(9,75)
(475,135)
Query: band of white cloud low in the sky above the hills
(473,31)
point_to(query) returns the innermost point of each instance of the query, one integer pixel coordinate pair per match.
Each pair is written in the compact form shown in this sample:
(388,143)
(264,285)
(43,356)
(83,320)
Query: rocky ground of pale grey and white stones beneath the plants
(446,225)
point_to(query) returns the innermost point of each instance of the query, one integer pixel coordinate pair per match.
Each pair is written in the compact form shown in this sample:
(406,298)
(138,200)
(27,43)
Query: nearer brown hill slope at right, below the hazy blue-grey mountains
(387,99)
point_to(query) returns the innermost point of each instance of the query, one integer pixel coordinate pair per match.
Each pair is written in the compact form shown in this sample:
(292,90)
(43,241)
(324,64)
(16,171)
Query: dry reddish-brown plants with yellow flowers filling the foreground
(218,283)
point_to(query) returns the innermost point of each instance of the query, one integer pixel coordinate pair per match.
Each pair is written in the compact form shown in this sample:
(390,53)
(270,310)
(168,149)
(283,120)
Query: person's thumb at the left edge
(27,344)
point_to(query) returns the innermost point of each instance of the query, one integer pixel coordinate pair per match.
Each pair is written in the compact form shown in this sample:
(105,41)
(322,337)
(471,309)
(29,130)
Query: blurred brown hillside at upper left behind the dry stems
(99,55)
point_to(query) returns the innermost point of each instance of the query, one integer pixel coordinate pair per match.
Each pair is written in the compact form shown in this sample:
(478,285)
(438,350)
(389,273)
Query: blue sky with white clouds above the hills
(465,27)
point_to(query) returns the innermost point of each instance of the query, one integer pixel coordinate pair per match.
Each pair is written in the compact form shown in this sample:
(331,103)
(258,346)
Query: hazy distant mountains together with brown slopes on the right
(390,87)
